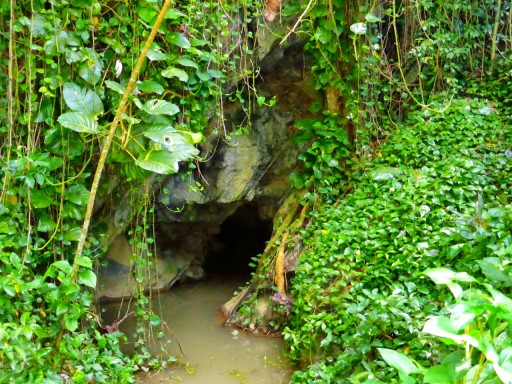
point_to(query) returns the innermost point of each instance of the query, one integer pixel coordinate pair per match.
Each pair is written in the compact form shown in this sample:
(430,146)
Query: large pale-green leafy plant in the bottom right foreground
(477,331)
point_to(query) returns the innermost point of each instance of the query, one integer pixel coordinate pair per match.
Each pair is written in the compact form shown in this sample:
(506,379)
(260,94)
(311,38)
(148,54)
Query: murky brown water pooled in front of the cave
(213,354)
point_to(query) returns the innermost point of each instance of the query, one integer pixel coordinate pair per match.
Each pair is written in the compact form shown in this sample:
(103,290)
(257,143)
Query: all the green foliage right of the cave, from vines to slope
(408,173)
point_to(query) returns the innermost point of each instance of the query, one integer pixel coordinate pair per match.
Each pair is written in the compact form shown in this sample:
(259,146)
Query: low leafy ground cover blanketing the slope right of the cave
(436,194)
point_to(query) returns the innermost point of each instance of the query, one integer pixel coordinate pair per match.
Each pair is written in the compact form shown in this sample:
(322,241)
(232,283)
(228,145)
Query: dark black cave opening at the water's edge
(242,237)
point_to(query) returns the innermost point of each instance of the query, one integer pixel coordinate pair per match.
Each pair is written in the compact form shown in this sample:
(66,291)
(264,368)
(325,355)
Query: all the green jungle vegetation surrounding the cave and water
(405,216)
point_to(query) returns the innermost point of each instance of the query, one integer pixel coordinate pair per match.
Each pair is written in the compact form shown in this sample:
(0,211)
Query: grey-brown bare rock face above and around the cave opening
(243,182)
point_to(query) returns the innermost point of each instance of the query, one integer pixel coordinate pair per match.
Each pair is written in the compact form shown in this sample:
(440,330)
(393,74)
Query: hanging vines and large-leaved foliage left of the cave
(64,73)
